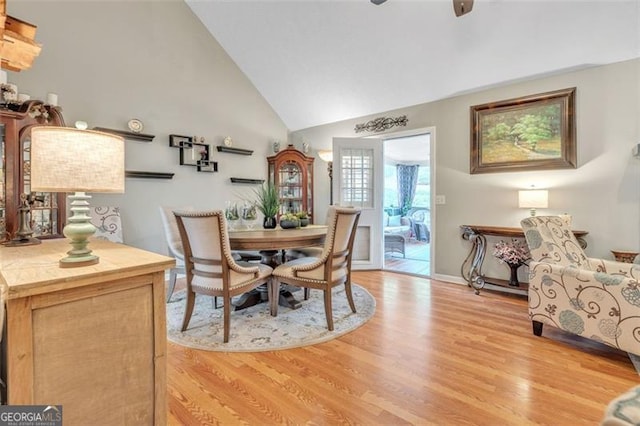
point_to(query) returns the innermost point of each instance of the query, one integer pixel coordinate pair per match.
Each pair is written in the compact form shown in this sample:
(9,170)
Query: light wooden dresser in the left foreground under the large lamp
(92,339)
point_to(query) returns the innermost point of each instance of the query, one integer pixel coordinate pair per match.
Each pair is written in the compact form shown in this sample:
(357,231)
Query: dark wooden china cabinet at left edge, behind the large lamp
(48,210)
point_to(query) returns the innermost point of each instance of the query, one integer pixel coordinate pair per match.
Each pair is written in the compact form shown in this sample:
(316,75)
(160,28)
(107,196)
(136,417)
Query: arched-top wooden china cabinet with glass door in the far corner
(292,173)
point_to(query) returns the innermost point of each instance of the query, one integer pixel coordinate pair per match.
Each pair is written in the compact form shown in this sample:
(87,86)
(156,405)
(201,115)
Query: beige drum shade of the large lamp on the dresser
(65,159)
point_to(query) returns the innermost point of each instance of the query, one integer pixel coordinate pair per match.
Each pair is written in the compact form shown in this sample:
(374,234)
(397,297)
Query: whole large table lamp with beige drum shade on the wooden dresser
(64,159)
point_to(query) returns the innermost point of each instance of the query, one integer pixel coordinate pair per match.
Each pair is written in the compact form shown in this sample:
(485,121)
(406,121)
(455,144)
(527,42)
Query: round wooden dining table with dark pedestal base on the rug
(272,245)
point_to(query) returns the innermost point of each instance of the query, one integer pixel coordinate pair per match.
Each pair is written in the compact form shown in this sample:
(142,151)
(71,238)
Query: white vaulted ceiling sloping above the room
(321,61)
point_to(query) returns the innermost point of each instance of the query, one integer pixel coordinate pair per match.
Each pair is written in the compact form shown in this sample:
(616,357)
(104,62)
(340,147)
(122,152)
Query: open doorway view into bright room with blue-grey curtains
(407,204)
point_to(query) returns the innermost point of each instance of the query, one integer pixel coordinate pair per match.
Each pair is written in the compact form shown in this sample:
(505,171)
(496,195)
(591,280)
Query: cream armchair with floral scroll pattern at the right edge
(594,298)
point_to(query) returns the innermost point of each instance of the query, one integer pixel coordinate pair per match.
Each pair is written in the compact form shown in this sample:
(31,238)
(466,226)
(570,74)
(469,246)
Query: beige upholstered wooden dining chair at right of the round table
(331,269)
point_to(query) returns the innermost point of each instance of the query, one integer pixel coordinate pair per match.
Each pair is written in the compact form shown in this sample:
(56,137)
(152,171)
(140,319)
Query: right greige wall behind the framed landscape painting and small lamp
(602,194)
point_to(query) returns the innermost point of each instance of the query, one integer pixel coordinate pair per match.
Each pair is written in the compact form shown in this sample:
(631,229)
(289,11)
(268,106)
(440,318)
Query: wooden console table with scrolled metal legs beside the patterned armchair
(471,269)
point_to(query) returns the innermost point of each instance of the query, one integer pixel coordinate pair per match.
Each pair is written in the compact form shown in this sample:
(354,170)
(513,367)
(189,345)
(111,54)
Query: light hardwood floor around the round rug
(433,354)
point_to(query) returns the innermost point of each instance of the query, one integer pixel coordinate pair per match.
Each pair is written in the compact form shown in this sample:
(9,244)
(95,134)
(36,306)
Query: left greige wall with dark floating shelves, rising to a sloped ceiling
(152,60)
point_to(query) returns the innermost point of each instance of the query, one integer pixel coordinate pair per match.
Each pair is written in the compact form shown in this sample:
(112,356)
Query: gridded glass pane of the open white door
(357,177)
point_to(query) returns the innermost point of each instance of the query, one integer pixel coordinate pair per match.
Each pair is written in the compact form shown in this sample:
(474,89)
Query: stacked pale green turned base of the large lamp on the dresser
(78,230)
